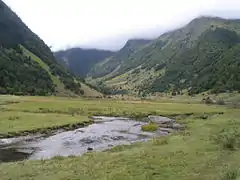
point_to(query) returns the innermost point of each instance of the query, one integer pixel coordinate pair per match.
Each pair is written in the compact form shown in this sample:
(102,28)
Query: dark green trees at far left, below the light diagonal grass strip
(22,76)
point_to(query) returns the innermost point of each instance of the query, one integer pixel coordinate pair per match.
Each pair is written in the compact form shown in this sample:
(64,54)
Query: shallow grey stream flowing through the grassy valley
(103,134)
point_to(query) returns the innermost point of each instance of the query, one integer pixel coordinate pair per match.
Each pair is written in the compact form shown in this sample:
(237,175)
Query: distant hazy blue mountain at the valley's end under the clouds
(80,61)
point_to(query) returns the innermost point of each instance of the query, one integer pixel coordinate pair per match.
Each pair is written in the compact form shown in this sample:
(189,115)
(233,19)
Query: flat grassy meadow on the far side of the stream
(24,115)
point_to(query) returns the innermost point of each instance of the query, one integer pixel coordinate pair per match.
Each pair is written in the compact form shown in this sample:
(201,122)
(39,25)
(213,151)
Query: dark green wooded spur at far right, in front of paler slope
(212,64)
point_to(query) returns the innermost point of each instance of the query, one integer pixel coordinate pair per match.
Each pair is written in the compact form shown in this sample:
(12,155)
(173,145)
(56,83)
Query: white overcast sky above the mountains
(108,24)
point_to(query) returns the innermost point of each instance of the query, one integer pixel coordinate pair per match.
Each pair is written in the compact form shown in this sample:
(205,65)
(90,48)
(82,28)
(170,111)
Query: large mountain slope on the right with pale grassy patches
(203,55)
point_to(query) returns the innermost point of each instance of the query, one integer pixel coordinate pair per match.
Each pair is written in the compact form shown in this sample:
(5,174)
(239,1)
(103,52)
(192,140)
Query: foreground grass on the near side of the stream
(190,155)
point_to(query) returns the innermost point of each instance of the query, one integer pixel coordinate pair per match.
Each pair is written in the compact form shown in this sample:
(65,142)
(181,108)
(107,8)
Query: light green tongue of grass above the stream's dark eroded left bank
(17,123)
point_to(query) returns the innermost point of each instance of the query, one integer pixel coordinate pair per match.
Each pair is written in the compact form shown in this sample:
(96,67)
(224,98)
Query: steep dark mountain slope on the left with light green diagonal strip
(27,65)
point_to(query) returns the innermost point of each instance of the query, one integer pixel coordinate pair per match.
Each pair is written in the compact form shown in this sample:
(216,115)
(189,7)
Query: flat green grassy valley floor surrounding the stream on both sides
(207,149)
